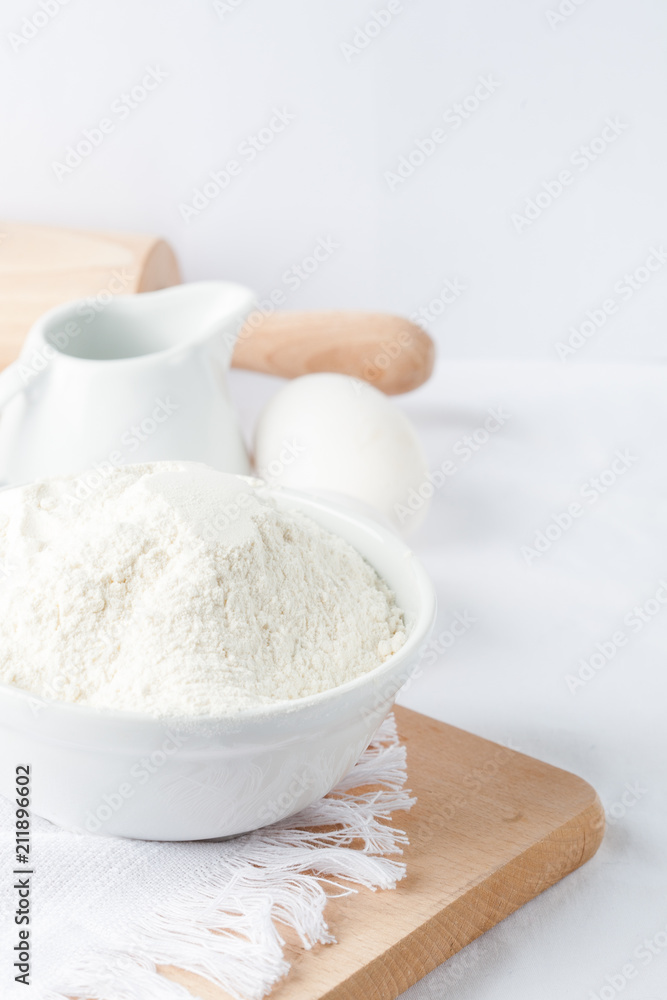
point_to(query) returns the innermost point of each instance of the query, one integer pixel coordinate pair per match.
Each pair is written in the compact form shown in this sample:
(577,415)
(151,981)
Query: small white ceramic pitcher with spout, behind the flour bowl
(140,378)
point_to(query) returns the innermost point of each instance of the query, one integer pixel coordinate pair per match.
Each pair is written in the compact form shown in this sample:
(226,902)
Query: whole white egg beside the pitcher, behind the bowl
(335,434)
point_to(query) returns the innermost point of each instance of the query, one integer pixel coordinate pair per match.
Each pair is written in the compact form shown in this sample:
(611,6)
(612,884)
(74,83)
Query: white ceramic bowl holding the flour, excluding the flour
(128,774)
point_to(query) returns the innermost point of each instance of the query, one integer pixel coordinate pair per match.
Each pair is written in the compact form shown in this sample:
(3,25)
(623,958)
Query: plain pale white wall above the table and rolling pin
(354,117)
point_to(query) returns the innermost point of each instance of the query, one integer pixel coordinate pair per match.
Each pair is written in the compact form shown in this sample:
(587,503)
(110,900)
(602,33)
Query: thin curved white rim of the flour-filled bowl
(419,630)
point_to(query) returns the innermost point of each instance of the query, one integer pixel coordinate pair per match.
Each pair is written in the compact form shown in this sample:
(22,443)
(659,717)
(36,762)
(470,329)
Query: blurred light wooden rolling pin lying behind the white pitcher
(42,267)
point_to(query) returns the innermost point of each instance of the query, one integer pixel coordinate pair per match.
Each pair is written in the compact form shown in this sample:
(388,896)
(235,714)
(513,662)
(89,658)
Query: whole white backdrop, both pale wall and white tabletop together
(452,219)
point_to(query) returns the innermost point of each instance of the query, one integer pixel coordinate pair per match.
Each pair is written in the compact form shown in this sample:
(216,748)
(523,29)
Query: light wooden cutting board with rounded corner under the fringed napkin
(492,828)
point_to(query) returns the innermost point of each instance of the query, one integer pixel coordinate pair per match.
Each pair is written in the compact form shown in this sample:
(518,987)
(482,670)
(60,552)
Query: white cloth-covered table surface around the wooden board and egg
(536,619)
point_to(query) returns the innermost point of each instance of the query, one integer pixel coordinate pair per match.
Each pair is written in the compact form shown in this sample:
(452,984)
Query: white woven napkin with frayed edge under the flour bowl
(106,911)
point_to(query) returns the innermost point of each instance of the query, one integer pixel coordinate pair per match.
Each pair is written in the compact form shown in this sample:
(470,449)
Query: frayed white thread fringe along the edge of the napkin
(227,928)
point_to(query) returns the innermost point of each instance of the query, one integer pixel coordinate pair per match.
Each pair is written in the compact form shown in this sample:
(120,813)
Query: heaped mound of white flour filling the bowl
(176,590)
